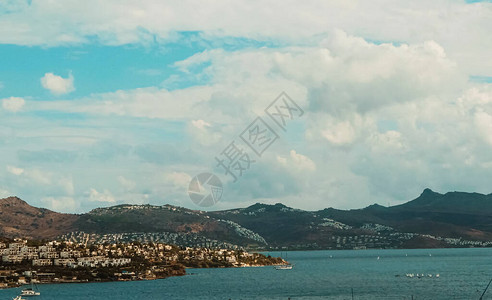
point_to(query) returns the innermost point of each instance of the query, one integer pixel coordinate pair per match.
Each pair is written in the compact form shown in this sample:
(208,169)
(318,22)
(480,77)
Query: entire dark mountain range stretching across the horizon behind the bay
(453,219)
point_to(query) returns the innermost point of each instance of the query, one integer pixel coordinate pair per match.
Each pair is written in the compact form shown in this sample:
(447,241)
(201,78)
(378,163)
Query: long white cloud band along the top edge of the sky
(118,22)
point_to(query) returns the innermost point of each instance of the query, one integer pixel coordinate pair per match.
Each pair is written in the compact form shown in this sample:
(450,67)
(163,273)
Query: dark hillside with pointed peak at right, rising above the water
(453,215)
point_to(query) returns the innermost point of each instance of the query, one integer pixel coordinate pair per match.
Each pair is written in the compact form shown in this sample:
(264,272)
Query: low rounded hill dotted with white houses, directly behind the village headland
(169,219)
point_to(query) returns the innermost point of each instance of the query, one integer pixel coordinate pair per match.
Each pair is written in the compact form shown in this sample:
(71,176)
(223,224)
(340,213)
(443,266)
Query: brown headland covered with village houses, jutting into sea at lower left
(26,262)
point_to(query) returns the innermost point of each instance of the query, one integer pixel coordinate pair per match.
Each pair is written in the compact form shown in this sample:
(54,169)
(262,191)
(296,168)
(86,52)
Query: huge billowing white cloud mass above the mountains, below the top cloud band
(347,86)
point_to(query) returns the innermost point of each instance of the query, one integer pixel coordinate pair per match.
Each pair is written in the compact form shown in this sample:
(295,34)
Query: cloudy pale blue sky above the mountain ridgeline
(111,102)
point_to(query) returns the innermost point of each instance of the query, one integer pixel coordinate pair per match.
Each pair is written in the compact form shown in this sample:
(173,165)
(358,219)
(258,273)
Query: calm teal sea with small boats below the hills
(340,274)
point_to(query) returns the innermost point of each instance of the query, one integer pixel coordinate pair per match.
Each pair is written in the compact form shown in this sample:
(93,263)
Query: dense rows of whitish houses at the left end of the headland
(47,255)
